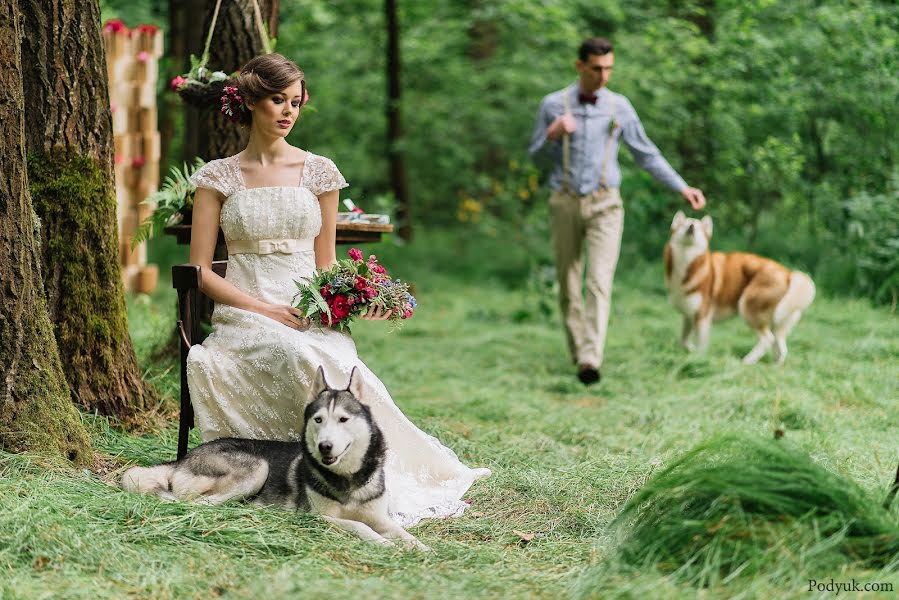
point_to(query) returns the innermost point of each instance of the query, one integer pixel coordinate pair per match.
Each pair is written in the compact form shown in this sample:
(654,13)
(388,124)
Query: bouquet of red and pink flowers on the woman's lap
(337,295)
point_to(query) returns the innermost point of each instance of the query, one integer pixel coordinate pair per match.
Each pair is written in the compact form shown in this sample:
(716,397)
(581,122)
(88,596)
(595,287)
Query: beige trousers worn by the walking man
(596,219)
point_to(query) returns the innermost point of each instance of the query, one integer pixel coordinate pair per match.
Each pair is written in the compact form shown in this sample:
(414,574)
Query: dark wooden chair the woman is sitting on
(193,305)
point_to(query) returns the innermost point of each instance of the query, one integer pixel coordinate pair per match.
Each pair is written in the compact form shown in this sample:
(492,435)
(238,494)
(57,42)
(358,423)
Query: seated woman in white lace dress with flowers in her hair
(277,207)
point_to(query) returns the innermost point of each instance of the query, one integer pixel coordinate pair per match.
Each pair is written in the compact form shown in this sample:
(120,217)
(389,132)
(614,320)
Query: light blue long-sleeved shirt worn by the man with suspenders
(588,142)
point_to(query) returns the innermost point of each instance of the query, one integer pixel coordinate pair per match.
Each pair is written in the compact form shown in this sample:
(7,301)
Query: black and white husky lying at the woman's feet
(336,471)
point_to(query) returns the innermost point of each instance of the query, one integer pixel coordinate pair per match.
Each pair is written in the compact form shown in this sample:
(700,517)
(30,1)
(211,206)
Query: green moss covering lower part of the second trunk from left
(74,199)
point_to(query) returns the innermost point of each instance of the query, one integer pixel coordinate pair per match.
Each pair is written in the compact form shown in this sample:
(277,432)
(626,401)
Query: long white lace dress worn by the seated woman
(251,376)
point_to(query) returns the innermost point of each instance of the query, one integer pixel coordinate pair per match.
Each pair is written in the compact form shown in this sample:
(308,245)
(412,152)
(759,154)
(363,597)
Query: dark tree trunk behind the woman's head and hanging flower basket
(235,41)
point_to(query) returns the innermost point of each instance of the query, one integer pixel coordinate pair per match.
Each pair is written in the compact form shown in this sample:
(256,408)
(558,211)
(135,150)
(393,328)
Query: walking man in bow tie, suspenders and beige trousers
(578,130)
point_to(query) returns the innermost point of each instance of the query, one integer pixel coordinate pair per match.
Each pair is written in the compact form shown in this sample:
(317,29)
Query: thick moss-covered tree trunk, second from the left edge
(70,148)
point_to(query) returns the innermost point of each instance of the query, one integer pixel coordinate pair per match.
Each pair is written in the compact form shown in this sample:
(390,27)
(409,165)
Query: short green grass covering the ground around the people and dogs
(501,391)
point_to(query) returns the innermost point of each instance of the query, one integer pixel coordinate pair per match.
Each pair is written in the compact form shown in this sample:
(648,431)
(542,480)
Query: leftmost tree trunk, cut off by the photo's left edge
(35,412)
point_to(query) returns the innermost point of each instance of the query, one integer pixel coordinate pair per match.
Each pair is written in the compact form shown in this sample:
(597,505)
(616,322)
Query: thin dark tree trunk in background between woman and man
(398,179)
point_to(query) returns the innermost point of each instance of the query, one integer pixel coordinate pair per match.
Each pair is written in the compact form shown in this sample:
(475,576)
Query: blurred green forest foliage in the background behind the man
(760,104)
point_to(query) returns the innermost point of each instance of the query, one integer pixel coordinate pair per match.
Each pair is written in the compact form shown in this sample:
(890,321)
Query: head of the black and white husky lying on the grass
(338,426)
